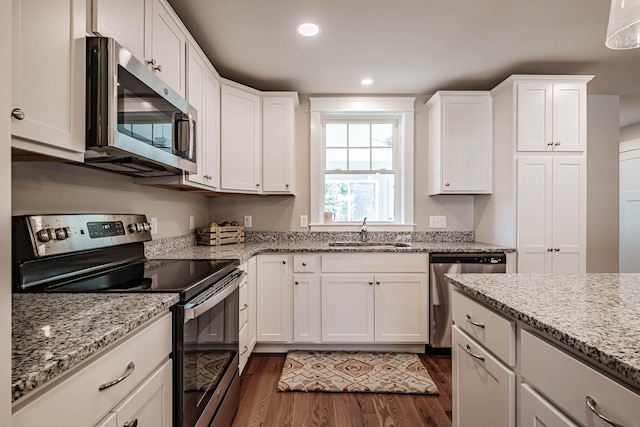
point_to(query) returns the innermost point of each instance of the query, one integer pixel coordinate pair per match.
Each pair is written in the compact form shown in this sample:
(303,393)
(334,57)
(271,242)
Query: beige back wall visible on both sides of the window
(281,213)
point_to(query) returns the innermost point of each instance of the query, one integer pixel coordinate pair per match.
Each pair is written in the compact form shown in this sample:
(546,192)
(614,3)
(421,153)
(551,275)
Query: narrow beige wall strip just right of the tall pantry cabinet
(603,183)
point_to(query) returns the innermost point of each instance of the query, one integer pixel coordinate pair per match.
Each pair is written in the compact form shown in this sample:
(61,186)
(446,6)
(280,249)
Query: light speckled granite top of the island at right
(597,315)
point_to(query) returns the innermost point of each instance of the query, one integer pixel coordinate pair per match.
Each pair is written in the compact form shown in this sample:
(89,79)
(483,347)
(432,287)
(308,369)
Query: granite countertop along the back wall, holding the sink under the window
(244,251)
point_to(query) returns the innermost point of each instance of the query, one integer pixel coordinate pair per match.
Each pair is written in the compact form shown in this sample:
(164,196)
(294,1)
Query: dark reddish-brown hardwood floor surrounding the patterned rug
(262,405)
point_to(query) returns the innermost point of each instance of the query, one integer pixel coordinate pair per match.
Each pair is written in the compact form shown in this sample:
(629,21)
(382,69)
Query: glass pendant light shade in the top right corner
(623,31)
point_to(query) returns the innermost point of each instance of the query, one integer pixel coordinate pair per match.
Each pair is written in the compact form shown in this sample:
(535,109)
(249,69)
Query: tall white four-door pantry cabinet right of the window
(538,204)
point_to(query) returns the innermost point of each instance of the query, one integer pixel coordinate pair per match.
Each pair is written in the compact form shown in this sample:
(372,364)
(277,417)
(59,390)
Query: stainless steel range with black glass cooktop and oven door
(105,253)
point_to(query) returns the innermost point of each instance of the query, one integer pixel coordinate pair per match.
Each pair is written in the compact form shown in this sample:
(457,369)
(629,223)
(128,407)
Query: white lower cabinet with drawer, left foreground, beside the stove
(145,392)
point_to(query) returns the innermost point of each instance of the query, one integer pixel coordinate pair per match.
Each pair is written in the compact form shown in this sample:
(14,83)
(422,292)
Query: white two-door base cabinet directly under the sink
(381,298)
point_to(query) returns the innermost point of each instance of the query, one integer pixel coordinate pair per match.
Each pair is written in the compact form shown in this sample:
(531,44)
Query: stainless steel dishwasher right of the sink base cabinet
(440,299)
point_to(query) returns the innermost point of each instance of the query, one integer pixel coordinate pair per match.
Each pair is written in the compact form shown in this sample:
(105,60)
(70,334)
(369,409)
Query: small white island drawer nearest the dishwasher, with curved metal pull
(492,330)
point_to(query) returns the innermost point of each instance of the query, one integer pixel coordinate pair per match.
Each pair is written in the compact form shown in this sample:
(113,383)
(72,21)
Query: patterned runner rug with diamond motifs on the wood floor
(348,371)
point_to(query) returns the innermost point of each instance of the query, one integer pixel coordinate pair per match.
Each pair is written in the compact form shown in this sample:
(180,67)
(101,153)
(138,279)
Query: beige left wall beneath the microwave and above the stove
(65,188)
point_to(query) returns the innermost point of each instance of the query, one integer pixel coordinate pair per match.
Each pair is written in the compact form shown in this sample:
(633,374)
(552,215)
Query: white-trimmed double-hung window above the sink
(362,162)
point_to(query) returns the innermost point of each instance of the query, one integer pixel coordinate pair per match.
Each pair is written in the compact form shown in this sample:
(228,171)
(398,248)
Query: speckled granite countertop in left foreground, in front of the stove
(52,333)
